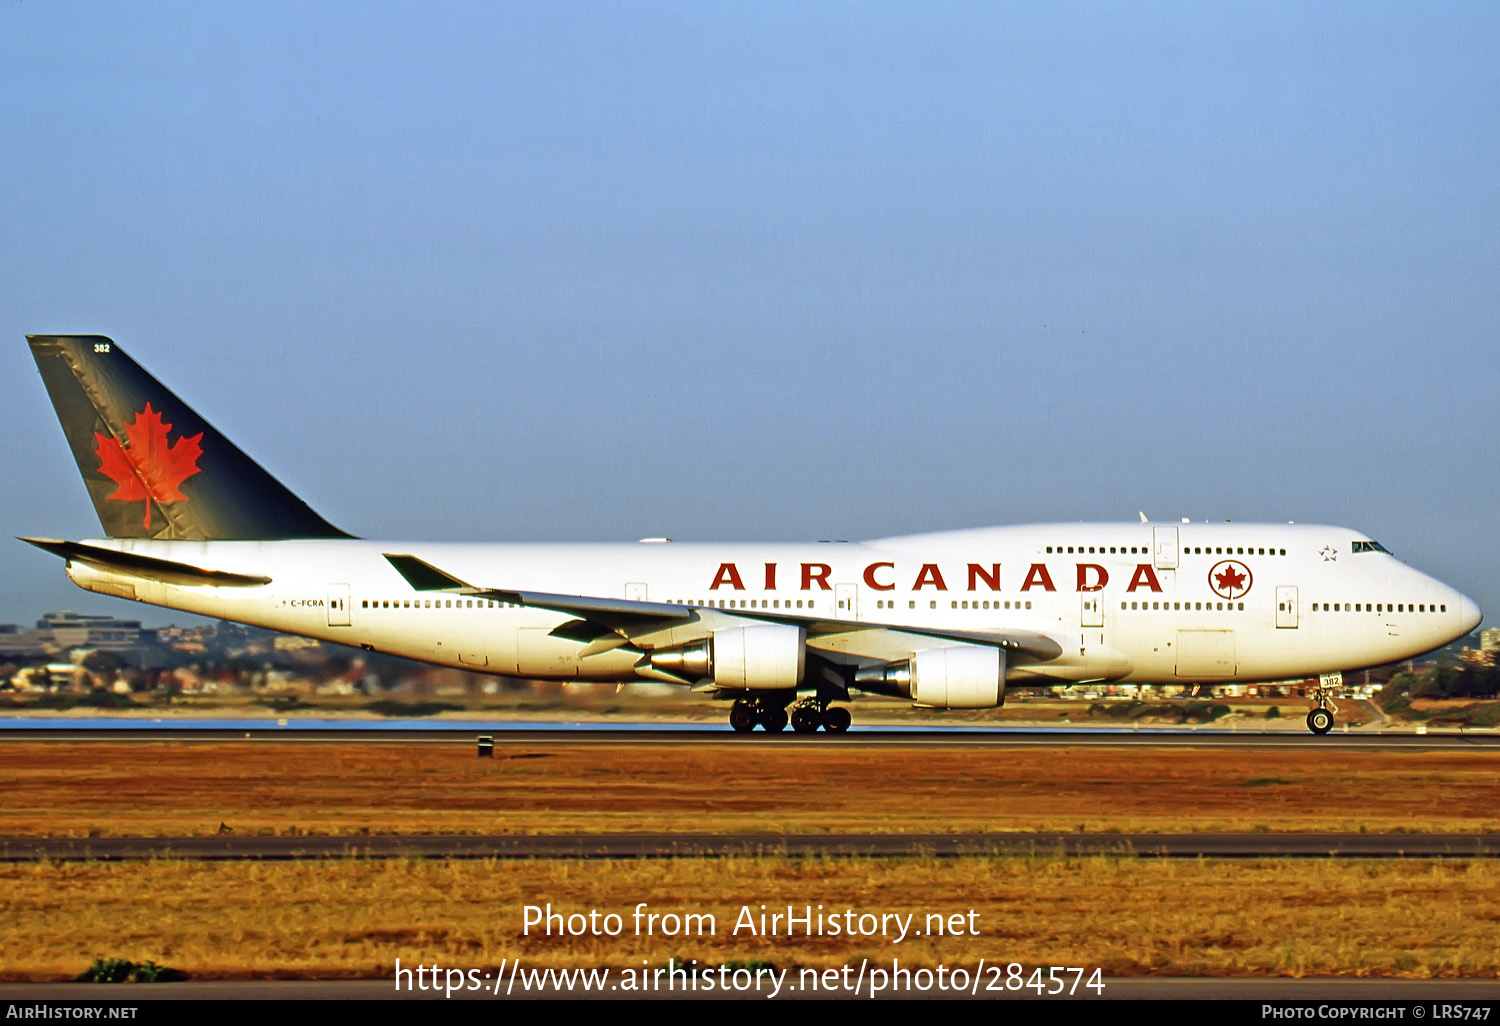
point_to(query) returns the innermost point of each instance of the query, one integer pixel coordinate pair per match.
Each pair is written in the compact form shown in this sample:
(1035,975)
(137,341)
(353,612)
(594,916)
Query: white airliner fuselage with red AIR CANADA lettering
(1127,602)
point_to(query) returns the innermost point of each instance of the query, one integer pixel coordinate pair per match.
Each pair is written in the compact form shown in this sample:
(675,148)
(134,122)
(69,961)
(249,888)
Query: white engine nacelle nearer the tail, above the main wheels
(763,658)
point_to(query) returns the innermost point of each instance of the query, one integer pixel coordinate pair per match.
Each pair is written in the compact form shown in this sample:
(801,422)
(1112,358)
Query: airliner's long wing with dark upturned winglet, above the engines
(629,619)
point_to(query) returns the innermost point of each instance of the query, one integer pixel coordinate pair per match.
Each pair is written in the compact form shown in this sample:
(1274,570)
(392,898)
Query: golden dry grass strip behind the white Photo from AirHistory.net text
(355,919)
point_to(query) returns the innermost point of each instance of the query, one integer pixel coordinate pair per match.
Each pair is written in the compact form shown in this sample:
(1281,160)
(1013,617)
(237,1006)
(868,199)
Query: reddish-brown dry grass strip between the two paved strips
(389,788)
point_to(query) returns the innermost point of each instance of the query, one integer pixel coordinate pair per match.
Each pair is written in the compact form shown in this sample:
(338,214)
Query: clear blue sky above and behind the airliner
(772,271)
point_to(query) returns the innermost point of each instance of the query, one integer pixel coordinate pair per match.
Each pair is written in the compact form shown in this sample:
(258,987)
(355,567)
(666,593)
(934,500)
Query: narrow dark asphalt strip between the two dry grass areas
(532,847)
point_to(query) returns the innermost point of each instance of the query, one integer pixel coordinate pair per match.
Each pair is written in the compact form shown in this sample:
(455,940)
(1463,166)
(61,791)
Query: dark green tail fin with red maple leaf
(154,467)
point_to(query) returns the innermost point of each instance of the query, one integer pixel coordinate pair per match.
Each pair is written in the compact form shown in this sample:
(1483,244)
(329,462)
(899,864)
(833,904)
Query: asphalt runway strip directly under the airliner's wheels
(722,736)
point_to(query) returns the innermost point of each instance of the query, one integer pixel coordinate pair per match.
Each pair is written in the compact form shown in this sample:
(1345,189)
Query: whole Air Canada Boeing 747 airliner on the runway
(946,620)
